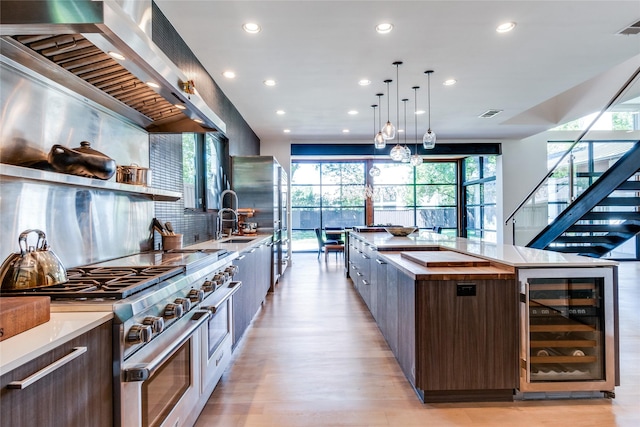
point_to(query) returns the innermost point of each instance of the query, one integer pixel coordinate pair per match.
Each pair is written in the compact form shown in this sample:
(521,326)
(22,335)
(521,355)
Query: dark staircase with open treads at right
(603,217)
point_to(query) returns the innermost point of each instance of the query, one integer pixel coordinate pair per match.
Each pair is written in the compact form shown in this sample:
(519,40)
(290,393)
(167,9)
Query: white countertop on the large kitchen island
(514,256)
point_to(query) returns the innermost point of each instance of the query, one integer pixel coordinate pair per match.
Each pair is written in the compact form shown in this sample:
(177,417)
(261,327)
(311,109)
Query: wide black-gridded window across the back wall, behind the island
(331,194)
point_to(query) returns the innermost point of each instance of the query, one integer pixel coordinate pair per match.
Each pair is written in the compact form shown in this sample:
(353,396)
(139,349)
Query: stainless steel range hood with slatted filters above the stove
(71,43)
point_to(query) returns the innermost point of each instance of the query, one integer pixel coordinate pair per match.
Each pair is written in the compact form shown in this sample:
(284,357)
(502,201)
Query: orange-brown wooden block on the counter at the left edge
(18,314)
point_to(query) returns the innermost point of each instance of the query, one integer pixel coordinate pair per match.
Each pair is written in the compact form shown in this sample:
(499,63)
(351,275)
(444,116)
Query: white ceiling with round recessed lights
(317,51)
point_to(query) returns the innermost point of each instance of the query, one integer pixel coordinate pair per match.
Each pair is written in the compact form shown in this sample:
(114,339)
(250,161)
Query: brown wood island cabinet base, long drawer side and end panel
(454,339)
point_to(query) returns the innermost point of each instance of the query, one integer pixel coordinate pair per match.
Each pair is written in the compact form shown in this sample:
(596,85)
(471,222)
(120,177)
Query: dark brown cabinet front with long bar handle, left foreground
(78,393)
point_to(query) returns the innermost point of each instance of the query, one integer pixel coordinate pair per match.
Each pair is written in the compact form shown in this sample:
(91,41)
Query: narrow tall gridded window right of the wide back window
(480,198)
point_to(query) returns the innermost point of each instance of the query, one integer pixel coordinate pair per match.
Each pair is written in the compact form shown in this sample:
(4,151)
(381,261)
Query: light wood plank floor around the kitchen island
(315,357)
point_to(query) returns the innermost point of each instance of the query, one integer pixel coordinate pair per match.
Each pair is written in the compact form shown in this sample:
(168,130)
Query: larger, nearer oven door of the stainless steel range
(160,384)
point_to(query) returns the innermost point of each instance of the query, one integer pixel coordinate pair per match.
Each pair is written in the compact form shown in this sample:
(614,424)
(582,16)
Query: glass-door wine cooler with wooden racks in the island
(567,331)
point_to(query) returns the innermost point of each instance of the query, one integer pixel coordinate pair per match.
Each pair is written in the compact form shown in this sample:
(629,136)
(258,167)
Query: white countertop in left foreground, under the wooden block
(61,328)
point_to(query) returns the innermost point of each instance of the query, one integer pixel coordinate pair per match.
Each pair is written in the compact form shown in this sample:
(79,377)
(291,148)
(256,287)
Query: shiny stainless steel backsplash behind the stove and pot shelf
(82,225)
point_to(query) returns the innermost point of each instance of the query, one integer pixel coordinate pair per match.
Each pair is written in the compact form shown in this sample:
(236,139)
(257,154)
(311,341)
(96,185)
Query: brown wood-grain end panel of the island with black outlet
(468,335)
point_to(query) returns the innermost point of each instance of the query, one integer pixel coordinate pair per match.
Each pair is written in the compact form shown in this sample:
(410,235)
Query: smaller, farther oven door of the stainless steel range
(217,337)
